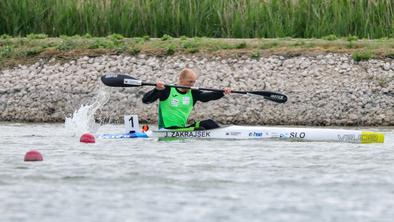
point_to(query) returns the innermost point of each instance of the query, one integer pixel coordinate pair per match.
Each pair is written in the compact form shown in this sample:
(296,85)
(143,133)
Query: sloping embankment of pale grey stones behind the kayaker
(329,89)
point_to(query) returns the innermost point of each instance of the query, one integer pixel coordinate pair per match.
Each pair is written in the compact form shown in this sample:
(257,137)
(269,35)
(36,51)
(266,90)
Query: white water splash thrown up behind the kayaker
(82,120)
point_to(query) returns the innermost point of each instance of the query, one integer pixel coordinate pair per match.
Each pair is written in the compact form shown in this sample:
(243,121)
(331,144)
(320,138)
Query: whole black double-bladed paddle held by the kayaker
(121,80)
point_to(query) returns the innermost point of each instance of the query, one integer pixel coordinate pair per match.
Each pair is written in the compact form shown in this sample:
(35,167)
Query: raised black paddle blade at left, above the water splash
(120,80)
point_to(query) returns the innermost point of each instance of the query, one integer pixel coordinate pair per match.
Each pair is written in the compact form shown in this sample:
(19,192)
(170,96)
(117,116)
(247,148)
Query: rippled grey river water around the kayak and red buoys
(191,180)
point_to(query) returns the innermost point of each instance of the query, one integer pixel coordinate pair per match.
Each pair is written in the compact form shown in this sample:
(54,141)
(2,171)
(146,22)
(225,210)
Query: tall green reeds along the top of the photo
(211,18)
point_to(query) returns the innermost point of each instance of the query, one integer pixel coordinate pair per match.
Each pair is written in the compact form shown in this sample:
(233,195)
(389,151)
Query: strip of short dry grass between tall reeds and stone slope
(25,50)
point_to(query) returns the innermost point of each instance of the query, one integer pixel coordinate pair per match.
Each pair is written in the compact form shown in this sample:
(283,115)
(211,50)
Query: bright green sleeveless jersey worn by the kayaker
(175,110)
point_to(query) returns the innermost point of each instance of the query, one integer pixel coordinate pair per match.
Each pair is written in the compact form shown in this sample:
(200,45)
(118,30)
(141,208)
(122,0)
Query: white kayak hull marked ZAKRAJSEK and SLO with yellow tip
(259,132)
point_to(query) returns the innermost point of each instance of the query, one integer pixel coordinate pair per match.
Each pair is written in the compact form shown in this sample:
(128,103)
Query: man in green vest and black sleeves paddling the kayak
(175,105)
